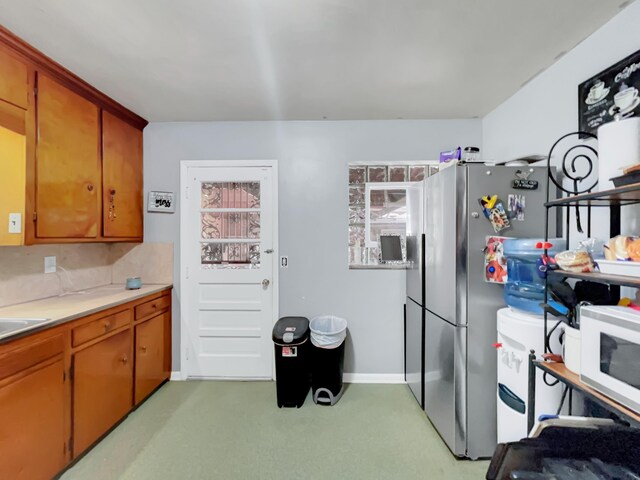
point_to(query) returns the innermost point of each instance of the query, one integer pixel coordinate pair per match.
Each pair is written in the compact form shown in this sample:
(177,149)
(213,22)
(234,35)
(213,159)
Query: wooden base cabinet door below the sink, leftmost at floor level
(32,433)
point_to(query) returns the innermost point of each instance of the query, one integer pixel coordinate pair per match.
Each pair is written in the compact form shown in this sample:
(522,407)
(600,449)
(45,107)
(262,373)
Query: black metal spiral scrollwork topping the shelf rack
(577,166)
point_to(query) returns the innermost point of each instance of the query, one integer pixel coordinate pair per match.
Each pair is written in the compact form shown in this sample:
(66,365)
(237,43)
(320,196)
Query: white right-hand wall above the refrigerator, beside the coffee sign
(547,107)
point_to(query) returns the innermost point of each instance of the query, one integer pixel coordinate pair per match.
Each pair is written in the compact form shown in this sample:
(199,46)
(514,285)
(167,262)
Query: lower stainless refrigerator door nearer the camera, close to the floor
(444,381)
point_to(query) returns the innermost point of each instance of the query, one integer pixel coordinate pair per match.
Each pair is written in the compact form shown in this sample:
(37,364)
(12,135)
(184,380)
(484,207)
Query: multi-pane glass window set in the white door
(230,225)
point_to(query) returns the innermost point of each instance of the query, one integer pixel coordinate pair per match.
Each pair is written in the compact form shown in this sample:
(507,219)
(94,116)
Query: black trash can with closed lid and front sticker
(293,352)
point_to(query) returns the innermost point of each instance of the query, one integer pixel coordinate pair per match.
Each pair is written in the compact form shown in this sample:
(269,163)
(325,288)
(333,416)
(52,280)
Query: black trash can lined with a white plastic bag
(327,365)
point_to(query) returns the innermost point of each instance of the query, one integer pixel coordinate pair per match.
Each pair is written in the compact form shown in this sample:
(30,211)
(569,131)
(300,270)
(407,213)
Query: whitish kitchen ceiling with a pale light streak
(205,60)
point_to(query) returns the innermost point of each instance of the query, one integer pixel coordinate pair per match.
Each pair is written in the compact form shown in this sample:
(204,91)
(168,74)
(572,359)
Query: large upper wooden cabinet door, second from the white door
(68,163)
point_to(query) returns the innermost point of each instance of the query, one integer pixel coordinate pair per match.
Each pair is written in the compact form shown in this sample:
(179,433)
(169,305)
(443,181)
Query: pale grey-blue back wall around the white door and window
(313,213)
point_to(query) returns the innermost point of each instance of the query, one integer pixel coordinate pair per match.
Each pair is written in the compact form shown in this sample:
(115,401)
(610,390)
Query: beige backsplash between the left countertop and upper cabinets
(80,266)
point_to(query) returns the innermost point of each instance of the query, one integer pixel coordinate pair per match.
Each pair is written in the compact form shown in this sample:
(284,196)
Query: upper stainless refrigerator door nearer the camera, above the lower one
(443,253)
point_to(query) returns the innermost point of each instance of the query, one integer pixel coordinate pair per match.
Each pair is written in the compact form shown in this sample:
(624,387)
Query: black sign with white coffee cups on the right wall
(617,86)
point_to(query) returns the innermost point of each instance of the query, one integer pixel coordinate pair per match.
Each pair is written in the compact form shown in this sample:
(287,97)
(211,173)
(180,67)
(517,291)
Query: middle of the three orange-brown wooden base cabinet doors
(102,388)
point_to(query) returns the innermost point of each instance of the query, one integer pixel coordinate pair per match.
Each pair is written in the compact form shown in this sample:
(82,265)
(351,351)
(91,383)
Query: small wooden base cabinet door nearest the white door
(150,356)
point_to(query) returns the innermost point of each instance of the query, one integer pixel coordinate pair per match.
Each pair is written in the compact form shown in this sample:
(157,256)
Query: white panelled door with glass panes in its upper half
(228,248)
